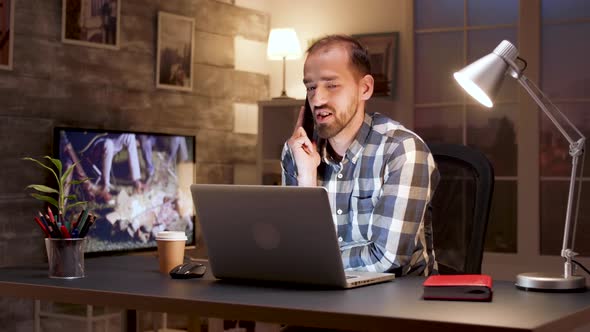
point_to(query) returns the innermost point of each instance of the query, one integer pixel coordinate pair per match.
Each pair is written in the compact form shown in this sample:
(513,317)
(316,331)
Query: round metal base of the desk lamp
(550,282)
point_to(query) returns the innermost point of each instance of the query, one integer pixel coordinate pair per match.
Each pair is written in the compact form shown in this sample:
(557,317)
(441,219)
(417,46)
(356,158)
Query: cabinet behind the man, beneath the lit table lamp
(276,121)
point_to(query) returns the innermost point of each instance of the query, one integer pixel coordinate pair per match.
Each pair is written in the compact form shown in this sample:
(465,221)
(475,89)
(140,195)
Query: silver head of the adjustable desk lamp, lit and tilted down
(482,79)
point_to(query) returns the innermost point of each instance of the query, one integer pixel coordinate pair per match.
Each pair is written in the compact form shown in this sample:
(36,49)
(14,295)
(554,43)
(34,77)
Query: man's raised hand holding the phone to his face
(304,153)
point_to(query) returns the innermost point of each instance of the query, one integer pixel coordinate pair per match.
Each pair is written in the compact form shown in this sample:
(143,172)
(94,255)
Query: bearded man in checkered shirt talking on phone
(380,176)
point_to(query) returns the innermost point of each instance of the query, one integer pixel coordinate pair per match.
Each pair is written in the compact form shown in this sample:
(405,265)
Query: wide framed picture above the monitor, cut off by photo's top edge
(94,23)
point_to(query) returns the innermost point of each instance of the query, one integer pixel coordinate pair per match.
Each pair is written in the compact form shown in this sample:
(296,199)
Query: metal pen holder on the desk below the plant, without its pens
(65,258)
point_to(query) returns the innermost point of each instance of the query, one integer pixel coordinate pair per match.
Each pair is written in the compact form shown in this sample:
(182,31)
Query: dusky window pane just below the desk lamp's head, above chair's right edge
(494,133)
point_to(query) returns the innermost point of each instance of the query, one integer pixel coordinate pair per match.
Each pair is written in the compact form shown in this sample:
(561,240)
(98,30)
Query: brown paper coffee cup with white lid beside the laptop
(170,249)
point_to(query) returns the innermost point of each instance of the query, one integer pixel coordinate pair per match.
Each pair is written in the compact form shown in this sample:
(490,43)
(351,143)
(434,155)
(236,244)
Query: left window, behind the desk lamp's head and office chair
(449,34)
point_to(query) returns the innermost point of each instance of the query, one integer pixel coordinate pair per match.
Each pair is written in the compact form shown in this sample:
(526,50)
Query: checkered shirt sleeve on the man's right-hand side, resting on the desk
(395,225)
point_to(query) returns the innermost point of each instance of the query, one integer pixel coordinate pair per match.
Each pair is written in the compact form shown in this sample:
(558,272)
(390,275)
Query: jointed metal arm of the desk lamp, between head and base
(576,149)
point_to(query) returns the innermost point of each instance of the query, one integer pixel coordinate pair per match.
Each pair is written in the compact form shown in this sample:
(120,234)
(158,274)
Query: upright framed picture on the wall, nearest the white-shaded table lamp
(174,65)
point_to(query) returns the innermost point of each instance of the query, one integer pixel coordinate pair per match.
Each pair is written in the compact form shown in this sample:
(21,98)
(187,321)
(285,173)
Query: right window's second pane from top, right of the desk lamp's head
(565,54)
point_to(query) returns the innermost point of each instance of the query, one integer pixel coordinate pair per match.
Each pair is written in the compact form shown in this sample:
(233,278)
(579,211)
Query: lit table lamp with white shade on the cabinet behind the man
(283,44)
